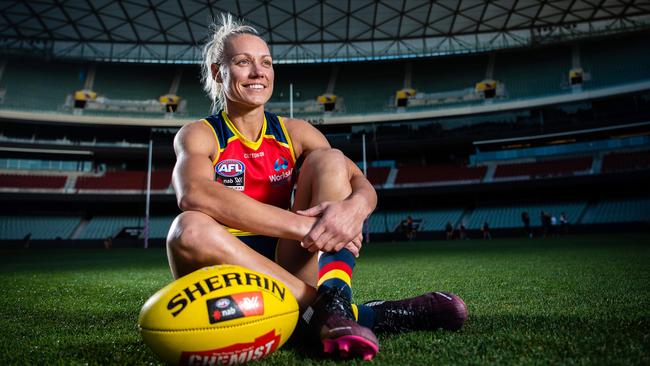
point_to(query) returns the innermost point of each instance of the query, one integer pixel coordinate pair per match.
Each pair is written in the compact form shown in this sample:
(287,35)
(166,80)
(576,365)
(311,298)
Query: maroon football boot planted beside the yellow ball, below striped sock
(331,318)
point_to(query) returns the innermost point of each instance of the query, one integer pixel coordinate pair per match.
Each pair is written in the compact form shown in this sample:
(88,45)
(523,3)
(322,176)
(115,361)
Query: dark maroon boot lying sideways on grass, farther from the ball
(434,310)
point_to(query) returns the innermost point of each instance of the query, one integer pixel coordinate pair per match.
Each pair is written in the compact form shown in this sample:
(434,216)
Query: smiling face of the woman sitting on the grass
(247,73)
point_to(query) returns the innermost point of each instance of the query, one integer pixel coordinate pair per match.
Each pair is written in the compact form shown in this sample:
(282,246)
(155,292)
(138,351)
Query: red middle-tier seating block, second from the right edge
(540,169)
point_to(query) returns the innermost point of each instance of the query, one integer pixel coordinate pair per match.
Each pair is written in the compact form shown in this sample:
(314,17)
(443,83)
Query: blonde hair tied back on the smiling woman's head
(213,54)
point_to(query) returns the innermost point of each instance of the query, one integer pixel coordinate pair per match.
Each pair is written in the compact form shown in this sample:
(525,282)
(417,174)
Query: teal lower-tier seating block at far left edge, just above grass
(39,227)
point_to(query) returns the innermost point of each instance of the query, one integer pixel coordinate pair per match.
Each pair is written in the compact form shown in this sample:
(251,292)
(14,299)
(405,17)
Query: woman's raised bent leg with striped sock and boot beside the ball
(324,177)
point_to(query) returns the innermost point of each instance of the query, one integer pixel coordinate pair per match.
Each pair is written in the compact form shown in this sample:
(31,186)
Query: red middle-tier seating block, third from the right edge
(410,174)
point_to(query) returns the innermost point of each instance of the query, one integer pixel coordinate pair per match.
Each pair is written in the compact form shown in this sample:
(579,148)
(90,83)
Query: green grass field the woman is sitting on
(574,300)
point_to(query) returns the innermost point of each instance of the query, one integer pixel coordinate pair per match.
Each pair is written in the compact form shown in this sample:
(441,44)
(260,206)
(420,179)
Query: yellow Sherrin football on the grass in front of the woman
(217,315)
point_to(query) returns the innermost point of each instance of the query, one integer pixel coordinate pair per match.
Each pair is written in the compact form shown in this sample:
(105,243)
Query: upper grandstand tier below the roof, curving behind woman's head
(363,88)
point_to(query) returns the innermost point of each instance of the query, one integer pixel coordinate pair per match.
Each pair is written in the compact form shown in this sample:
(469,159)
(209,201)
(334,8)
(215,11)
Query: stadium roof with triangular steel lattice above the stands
(305,30)
